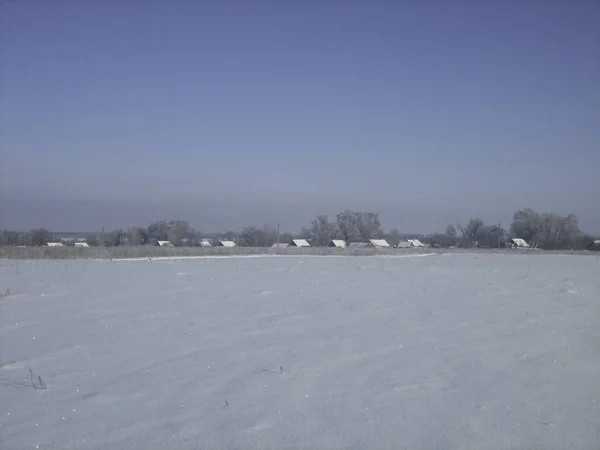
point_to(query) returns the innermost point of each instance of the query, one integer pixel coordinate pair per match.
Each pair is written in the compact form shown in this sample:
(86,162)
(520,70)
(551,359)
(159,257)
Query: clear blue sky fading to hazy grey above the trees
(228,114)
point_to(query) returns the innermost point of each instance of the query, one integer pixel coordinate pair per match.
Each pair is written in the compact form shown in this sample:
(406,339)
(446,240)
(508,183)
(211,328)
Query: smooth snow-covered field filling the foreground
(457,351)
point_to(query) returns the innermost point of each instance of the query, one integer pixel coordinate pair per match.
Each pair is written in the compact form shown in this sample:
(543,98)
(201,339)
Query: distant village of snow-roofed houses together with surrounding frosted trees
(348,229)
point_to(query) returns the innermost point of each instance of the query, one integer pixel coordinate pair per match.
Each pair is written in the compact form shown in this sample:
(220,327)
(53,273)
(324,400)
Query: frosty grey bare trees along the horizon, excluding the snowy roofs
(548,230)
